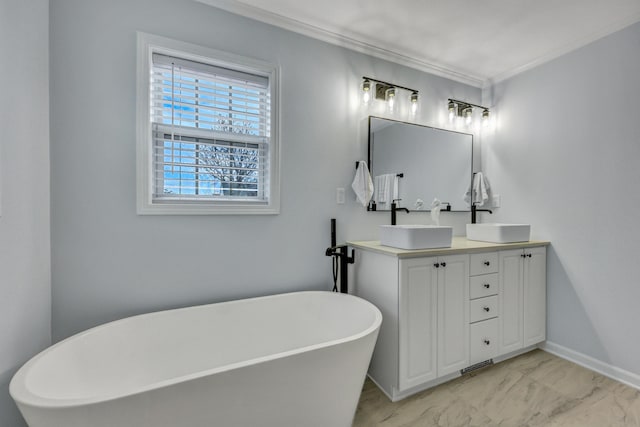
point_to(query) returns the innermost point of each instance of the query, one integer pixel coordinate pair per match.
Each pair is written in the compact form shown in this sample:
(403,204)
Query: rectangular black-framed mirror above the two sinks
(432,162)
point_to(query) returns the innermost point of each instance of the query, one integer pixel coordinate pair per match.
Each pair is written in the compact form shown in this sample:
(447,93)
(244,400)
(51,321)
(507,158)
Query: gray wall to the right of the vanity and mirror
(566,158)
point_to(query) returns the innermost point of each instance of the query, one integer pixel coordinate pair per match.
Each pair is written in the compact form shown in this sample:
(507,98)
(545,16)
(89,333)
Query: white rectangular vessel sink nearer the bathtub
(416,236)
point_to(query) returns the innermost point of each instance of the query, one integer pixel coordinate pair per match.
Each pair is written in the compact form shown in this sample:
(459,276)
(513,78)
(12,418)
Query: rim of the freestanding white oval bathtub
(23,396)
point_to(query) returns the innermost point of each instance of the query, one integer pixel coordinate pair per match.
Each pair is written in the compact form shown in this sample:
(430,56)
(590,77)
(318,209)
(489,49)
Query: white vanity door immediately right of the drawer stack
(510,301)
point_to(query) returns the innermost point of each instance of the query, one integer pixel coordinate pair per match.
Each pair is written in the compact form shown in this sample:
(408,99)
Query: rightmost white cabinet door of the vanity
(535,295)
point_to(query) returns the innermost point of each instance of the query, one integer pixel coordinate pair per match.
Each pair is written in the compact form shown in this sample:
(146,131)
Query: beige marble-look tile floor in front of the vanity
(534,389)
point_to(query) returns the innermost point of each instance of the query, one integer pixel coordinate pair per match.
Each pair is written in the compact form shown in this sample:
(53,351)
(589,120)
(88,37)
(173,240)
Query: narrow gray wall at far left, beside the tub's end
(25,294)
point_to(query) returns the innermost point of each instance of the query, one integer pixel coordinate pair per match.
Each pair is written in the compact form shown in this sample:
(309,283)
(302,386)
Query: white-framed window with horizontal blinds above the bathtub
(207,135)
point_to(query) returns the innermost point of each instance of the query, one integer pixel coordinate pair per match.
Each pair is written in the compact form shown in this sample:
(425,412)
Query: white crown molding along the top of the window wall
(341,40)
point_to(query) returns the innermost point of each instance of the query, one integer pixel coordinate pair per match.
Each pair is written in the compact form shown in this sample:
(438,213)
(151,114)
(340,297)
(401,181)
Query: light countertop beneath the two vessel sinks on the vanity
(459,245)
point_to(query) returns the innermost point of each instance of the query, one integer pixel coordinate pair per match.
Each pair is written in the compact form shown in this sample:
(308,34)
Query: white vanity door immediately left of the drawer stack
(453,313)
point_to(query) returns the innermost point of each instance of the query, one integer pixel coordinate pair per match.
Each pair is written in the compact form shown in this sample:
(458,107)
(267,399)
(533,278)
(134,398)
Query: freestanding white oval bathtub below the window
(295,359)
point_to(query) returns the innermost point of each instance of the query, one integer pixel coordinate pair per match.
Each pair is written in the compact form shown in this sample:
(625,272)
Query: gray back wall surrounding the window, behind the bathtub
(107,261)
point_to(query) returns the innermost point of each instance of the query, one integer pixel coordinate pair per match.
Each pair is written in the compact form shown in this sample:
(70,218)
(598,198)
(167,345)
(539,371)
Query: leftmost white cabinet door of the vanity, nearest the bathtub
(417,328)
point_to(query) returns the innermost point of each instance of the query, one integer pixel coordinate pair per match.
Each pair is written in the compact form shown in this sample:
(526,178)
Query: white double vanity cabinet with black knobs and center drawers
(445,310)
